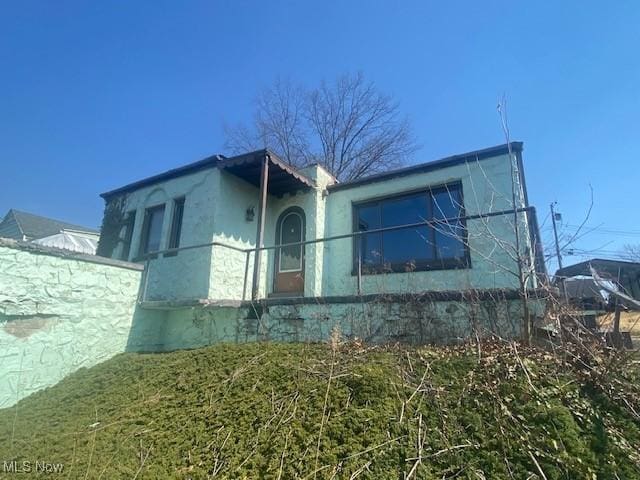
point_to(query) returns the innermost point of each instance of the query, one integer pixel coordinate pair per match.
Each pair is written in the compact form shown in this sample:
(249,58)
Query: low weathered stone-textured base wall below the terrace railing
(383,320)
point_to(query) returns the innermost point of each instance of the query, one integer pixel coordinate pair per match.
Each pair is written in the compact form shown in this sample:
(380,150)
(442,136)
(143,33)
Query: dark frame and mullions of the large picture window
(420,265)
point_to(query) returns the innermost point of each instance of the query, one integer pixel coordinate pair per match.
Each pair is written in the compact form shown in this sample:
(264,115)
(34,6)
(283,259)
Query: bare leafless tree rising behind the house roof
(348,126)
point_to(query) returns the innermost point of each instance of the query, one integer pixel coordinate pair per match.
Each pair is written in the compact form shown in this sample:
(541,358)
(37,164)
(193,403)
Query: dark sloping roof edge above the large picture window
(475,155)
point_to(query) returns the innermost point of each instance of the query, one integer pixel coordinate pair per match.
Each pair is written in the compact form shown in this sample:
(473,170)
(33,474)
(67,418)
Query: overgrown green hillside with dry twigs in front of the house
(312,411)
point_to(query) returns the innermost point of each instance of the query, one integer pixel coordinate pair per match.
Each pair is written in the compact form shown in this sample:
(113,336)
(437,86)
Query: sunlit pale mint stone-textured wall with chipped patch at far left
(59,312)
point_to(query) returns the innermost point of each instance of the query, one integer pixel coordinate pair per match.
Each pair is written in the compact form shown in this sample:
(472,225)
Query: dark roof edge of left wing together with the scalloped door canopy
(247,166)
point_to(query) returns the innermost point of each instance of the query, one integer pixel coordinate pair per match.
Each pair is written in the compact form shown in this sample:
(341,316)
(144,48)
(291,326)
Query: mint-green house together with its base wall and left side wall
(247,248)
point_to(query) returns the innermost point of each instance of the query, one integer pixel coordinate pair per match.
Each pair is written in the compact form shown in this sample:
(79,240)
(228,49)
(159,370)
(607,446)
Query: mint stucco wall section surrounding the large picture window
(486,186)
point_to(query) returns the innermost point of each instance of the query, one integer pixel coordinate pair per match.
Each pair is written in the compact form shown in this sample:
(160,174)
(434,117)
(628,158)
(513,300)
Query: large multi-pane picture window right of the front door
(438,245)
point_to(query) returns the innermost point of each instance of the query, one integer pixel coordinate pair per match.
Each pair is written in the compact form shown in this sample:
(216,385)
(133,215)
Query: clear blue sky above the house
(97,94)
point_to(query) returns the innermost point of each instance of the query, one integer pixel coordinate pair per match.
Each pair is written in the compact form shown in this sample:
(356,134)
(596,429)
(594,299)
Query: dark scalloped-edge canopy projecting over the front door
(282,177)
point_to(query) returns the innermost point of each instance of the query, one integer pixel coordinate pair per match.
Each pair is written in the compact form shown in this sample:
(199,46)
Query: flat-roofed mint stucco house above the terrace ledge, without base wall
(461,236)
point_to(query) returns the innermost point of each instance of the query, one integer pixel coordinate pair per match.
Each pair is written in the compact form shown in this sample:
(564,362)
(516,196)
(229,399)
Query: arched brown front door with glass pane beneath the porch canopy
(289,260)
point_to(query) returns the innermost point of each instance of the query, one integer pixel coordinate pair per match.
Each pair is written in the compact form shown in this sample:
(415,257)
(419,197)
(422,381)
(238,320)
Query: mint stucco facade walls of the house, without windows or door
(215,210)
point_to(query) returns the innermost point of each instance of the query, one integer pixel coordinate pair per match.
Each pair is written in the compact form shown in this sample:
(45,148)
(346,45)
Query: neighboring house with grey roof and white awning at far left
(28,227)
